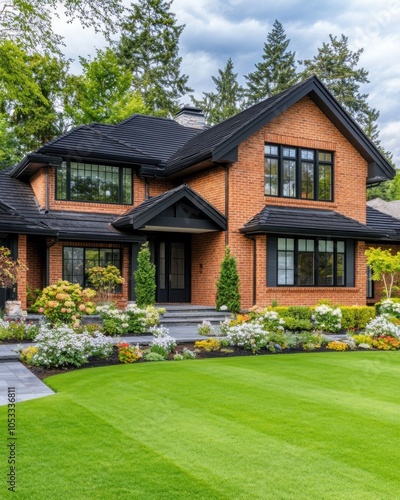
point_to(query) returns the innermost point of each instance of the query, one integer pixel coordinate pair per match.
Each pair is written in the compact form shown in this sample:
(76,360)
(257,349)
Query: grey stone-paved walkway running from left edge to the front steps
(14,374)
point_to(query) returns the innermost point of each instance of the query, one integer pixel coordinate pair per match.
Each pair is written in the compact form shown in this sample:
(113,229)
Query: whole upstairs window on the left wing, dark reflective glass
(95,183)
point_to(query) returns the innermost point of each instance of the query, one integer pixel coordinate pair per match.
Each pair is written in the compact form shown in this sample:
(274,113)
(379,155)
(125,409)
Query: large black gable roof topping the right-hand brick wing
(219,143)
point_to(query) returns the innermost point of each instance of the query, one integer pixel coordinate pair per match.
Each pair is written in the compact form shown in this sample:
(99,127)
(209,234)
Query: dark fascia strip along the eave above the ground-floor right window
(361,236)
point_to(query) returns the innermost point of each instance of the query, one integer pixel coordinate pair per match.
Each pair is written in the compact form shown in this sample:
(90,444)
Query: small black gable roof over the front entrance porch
(203,218)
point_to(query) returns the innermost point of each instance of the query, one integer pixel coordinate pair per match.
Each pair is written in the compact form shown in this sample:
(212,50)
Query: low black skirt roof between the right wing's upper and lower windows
(309,222)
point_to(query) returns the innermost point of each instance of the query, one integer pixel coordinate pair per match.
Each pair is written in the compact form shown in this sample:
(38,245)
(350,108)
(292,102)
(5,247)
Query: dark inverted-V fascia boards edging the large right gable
(313,88)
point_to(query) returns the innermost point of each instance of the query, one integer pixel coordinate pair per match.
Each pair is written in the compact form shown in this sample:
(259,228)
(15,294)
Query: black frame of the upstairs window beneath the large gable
(299,164)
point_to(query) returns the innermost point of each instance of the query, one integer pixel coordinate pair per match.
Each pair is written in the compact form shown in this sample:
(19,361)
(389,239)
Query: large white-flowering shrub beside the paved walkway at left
(61,346)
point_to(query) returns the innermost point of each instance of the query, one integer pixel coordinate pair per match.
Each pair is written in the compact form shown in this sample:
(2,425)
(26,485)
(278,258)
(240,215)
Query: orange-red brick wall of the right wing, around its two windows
(301,125)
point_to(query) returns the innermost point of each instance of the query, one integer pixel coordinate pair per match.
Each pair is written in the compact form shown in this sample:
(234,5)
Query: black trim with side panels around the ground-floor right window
(273,265)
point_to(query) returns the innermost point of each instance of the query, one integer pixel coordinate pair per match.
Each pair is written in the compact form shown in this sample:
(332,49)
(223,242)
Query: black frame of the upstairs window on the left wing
(122,170)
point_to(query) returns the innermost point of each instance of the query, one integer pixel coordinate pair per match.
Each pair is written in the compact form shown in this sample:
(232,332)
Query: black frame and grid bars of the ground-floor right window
(339,280)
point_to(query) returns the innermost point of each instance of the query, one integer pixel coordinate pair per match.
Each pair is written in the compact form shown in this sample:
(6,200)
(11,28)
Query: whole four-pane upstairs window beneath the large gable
(294,172)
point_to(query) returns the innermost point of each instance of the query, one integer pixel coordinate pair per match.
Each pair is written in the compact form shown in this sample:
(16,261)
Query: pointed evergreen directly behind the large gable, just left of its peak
(276,72)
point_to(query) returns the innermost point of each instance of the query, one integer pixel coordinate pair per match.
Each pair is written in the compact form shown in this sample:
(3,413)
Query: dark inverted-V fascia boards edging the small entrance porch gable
(178,195)
